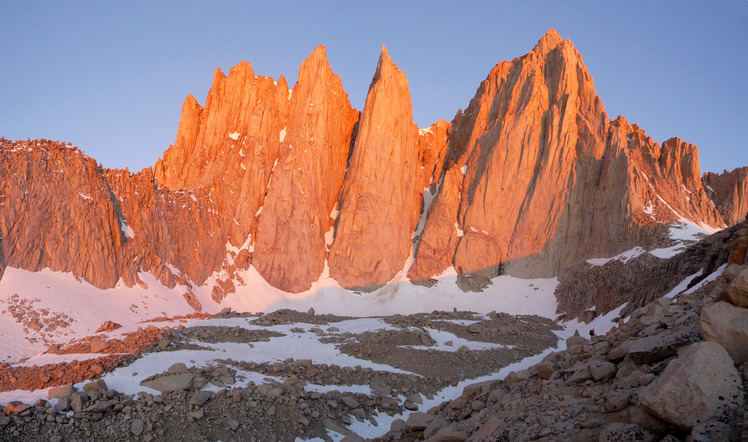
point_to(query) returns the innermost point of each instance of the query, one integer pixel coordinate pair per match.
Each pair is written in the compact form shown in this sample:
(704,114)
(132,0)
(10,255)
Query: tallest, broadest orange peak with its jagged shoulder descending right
(537,177)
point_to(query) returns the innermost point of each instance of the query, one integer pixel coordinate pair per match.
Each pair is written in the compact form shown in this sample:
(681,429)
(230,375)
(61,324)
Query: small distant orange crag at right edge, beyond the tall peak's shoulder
(729,193)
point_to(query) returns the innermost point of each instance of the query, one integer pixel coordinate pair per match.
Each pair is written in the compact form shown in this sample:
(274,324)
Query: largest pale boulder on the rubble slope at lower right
(701,384)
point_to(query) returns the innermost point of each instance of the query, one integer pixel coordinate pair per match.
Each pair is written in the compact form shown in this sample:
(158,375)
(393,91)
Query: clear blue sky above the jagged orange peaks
(110,77)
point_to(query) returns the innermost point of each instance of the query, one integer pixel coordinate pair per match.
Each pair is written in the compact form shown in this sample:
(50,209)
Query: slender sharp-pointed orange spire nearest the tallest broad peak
(380,200)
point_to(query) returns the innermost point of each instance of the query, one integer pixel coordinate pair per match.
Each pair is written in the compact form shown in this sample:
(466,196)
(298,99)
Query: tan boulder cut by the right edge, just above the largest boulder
(727,325)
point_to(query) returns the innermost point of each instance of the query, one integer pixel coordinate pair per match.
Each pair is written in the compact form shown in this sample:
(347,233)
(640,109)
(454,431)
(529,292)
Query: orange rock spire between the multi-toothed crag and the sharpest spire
(297,216)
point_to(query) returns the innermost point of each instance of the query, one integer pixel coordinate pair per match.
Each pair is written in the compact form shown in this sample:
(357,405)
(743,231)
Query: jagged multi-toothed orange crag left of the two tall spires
(228,149)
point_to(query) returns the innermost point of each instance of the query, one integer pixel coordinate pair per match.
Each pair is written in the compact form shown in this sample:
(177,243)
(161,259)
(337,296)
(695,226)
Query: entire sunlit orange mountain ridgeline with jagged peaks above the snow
(532,178)
